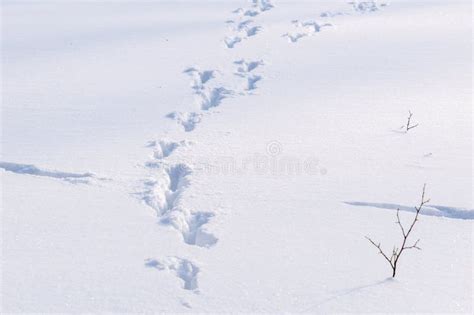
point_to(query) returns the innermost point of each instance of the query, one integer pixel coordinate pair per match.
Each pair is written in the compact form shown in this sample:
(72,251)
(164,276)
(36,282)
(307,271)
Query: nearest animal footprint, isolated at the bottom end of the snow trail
(180,267)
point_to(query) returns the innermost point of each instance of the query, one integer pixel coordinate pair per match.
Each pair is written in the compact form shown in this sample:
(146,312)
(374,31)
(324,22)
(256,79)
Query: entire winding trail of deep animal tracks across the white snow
(168,183)
